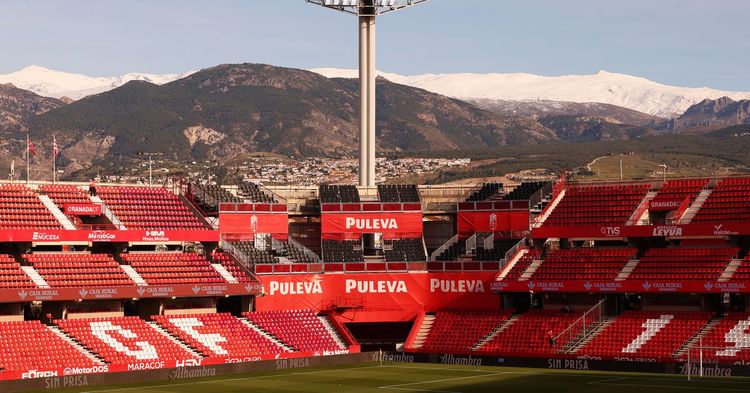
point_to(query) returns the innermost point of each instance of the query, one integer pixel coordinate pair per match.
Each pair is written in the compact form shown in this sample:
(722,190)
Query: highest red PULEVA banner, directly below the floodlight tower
(353,225)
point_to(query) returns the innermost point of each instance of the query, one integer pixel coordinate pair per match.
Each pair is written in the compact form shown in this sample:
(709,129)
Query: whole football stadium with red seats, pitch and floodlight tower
(561,284)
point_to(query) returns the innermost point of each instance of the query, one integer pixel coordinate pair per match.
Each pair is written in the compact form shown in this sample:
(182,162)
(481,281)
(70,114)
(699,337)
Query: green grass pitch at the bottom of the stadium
(401,377)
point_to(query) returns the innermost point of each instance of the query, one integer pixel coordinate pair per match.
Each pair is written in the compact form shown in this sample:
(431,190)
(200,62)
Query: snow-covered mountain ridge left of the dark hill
(58,84)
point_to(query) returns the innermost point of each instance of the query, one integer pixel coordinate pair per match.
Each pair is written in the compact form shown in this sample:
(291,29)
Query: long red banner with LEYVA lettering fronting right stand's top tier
(621,231)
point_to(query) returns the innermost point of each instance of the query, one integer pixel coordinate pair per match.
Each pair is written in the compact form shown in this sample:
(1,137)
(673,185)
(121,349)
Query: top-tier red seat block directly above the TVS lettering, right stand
(597,205)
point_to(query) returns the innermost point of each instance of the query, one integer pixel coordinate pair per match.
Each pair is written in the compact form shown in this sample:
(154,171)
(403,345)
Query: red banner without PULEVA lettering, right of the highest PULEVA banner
(471,222)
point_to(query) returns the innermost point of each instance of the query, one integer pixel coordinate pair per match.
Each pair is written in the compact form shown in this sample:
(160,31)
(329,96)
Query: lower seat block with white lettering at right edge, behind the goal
(732,334)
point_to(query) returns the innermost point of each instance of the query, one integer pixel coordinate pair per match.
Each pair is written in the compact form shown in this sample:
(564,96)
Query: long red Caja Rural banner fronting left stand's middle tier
(127,292)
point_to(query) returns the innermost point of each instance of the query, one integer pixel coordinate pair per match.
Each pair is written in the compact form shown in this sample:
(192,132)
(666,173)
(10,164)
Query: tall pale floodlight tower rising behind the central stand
(366,12)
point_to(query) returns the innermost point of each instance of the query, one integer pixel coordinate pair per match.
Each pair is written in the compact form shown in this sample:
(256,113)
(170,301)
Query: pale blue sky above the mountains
(681,42)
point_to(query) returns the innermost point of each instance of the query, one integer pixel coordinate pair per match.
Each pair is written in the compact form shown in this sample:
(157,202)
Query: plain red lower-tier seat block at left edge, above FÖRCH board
(29,345)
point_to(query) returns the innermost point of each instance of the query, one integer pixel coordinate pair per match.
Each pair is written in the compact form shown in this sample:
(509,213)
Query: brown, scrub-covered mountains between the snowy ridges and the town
(226,111)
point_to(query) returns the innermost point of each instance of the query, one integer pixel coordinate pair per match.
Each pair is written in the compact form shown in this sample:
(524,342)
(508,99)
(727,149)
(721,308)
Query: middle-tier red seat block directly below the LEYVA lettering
(683,263)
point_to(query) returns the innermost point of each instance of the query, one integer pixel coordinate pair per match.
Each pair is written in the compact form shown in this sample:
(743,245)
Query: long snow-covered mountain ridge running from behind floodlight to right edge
(627,91)
